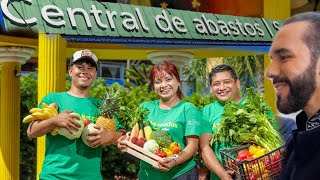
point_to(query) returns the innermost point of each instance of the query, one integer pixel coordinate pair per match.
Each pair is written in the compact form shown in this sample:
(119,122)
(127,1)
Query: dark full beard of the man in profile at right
(301,90)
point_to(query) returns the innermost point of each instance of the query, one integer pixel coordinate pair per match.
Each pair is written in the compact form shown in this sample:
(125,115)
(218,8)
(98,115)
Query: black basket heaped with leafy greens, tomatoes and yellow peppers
(250,123)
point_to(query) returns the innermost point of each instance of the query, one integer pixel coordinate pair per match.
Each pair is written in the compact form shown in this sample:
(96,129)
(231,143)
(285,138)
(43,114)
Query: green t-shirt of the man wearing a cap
(72,159)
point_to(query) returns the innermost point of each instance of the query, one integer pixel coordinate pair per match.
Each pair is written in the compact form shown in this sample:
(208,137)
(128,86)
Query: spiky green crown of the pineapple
(110,103)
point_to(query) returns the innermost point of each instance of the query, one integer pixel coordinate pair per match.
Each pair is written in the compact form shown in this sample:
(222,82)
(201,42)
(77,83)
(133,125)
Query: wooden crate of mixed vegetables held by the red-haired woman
(147,144)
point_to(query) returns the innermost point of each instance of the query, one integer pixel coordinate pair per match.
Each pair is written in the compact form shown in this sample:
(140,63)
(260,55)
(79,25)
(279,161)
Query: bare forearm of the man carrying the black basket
(212,162)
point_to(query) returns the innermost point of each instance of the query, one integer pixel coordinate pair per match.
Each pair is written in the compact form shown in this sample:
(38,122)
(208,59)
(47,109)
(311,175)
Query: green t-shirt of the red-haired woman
(180,121)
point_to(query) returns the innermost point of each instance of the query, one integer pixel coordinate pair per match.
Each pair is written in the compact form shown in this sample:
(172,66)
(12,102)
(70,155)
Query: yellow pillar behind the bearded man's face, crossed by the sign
(277,10)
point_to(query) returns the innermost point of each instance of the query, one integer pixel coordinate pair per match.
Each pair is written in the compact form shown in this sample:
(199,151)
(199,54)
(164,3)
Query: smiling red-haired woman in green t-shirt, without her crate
(180,119)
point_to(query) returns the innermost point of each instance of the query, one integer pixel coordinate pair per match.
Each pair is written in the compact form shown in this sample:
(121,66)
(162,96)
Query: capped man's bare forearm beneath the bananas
(40,128)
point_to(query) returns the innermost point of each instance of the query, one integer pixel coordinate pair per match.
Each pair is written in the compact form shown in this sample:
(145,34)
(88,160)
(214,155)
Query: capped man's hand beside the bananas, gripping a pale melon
(66,120)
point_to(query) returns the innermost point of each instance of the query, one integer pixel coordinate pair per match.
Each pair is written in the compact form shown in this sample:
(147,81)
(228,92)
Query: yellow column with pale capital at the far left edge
(11,59)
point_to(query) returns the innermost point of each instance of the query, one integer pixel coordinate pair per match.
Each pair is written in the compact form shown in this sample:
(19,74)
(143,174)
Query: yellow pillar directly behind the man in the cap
(51,76)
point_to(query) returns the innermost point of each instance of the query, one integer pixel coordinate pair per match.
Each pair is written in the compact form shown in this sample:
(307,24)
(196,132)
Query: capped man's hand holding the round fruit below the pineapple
(101,137)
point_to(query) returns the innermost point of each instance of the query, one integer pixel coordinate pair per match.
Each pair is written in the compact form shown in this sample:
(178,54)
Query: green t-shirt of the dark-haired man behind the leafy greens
(212,113)
